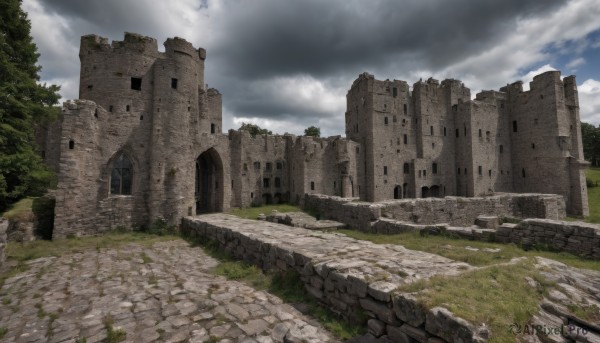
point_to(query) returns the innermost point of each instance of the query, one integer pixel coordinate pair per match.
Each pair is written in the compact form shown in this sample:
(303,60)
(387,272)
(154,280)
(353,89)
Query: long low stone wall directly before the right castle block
(456,211)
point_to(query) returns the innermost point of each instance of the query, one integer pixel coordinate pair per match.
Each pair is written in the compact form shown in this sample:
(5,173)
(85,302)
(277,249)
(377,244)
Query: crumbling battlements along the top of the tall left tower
(142,44)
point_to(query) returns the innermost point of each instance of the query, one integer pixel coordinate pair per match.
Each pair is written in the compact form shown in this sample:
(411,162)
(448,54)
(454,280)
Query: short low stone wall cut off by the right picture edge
(578,238)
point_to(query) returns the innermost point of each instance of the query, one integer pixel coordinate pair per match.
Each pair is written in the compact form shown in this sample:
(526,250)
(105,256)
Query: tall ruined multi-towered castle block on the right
(435,141)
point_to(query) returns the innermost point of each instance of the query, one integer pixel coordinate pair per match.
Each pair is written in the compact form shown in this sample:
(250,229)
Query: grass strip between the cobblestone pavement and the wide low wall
(287,286)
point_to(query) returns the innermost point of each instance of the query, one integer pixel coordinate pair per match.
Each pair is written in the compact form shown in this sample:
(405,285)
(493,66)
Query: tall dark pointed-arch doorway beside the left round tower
(209,182)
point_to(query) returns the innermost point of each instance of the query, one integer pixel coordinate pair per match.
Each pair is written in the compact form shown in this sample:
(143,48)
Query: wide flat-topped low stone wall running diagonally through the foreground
(349,276)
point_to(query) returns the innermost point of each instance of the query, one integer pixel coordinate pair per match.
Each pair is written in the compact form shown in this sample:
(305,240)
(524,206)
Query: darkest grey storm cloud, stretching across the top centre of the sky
(262,38)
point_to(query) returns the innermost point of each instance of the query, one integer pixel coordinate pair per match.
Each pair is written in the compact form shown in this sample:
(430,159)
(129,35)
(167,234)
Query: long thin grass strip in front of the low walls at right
(454,248)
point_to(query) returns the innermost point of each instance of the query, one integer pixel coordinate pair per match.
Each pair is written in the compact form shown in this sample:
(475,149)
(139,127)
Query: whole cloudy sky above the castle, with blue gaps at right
(286,65)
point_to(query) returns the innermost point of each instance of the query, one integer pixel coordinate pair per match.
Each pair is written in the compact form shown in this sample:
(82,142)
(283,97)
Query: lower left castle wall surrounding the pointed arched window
(83,203)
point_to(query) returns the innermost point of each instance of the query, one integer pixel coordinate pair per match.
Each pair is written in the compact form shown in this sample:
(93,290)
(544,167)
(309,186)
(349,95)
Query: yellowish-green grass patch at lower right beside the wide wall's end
(497,296)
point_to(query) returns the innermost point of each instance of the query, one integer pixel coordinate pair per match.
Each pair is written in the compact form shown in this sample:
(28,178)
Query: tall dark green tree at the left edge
(23,104)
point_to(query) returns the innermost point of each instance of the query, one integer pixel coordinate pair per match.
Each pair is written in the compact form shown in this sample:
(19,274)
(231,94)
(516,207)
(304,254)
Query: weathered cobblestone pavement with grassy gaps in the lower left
(162,293)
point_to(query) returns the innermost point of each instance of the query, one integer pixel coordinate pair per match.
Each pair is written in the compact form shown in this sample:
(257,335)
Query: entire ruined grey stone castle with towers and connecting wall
(145,141)
